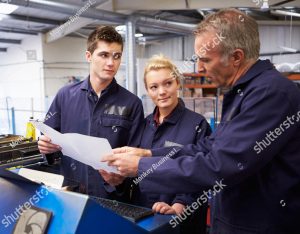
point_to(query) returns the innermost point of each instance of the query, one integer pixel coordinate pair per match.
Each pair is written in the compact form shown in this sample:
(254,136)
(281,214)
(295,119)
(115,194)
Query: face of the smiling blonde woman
(162,87)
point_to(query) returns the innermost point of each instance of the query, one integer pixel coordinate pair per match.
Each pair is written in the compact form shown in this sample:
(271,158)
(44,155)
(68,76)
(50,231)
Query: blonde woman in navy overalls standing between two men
(170,124)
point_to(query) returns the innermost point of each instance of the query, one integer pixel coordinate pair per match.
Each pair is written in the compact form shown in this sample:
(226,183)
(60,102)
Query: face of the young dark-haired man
(105,60)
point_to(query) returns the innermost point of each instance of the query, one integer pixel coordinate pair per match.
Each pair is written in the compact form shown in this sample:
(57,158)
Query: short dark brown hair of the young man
(103,33)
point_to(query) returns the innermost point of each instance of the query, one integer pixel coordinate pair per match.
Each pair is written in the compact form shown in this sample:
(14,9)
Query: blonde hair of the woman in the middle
(157,62)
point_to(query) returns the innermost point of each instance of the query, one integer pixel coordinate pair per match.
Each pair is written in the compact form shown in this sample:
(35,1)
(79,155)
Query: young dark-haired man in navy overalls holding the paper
(98,107)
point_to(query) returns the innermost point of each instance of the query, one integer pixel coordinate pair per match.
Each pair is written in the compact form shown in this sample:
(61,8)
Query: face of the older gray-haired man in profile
(218,69)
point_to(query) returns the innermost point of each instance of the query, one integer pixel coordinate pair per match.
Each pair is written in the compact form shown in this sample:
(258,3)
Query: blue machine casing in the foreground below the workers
(70,212)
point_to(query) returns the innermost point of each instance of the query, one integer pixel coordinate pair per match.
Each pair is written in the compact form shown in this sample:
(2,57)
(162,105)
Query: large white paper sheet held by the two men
(86,149)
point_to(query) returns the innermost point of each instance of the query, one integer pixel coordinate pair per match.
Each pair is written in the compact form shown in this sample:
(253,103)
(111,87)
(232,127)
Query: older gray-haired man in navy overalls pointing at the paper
(253,157)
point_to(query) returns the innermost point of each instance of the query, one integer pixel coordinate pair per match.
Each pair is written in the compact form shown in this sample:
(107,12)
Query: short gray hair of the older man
(239,30)
